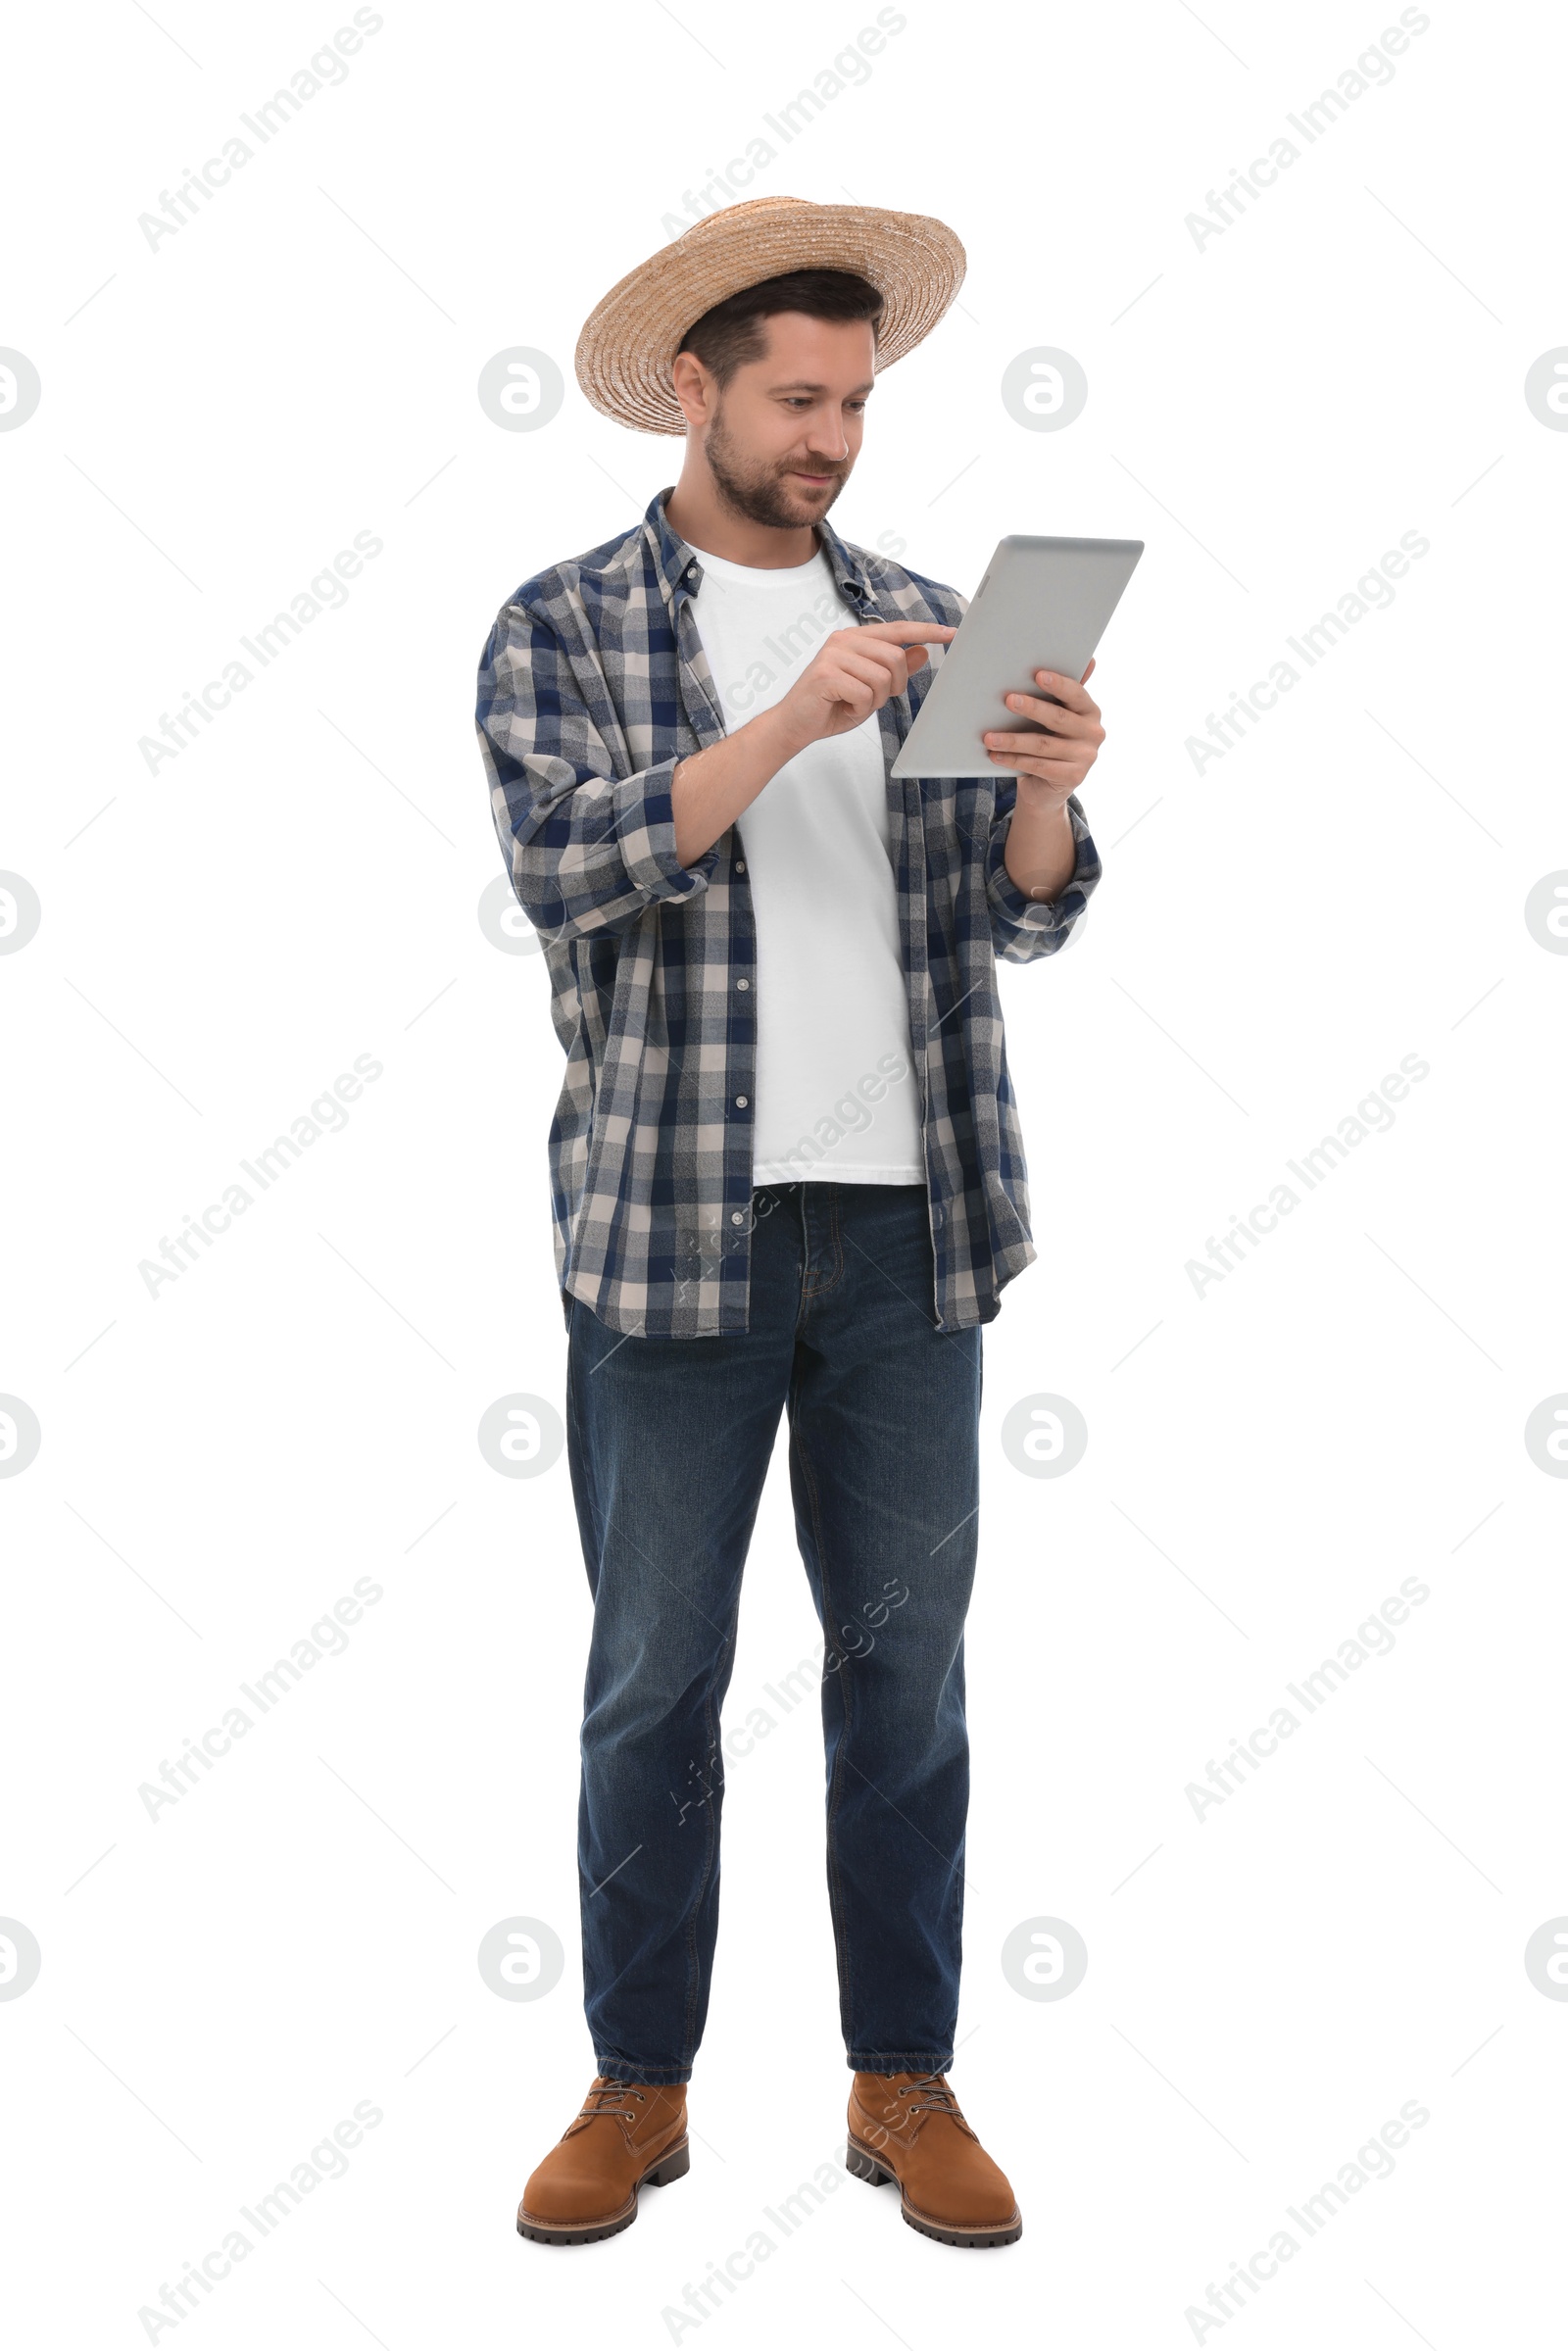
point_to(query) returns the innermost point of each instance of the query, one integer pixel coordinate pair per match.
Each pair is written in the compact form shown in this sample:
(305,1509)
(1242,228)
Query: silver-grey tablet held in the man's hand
(1043,605)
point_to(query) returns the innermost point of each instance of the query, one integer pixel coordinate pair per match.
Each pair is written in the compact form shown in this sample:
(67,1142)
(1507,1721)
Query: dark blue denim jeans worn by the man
(669,1447)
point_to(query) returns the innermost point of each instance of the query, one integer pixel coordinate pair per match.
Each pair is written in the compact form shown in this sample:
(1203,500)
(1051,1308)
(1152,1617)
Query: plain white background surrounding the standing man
(1266,1463)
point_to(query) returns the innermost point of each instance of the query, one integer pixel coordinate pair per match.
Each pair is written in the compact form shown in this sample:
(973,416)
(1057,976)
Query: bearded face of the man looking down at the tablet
(786,431)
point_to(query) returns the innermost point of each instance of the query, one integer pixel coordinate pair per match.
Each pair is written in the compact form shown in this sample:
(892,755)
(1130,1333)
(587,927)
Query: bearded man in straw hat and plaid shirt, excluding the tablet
(786,1158)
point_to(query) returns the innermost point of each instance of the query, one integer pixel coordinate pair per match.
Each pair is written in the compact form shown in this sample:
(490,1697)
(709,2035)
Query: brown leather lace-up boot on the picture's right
(909,2129)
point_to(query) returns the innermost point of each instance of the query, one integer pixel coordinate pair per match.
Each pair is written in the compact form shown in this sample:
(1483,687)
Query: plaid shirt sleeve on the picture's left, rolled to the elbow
(587,850)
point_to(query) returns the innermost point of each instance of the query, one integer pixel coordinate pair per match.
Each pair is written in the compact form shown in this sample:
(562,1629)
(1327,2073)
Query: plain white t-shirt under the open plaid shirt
(836,1083)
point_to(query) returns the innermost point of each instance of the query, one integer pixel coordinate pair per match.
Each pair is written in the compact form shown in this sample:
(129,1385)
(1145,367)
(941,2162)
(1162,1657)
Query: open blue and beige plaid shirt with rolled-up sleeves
(594,685)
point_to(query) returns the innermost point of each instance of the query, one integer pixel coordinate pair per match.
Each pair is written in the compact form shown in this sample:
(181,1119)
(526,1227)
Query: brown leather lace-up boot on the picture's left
(626,2136)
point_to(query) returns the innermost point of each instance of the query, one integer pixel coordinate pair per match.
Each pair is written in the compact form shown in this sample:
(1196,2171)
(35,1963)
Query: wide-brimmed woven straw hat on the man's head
(629,344)
